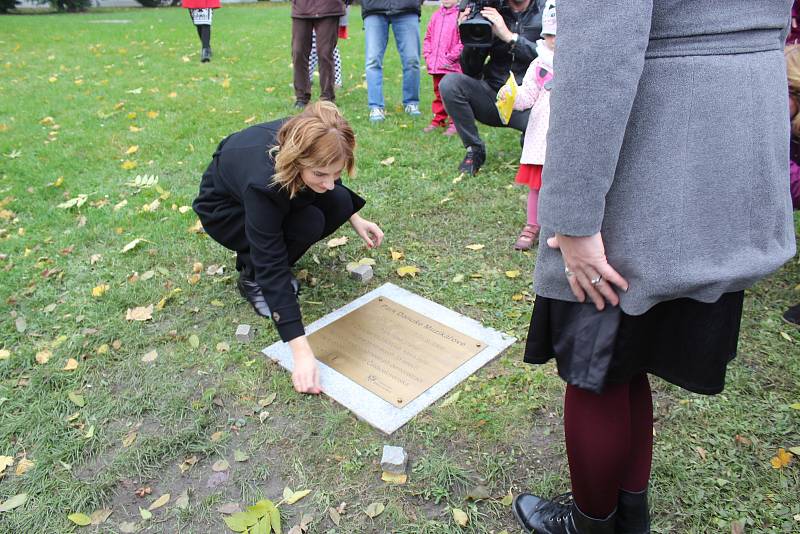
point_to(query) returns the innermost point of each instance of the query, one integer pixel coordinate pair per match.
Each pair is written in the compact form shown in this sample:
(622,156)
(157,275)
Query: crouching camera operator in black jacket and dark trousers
(471,95)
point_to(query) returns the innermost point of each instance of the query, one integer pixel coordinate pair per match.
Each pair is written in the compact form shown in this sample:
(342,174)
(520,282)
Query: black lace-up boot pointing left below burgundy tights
(559,515)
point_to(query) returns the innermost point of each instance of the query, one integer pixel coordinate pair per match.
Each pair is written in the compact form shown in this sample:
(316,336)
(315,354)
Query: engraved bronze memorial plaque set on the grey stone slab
(392,350)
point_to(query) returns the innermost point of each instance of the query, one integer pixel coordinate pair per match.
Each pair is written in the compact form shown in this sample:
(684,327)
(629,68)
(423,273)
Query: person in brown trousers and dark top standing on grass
(322,18)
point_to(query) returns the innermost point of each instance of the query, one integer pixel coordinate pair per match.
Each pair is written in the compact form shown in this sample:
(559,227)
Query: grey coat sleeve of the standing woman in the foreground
(593,92)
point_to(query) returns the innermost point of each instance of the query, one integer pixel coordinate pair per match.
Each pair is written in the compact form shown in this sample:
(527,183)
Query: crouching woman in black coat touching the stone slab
(270,192)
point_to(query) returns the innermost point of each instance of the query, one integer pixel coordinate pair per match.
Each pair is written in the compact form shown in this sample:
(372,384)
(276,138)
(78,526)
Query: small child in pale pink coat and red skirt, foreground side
(534,93)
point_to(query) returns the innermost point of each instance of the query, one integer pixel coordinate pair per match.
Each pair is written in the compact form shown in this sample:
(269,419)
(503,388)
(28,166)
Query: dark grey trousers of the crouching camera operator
(467,100)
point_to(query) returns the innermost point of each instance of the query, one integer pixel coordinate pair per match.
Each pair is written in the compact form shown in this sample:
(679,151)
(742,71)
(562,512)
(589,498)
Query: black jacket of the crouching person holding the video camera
(503,57)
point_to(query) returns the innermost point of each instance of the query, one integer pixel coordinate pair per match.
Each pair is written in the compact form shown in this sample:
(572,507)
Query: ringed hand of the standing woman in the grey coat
(587,269)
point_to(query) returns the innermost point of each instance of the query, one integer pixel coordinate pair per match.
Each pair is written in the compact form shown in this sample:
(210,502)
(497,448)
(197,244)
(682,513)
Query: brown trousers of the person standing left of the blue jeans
(327,30)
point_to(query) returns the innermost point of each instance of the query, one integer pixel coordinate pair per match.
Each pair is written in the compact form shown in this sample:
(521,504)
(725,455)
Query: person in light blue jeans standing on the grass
(403,16)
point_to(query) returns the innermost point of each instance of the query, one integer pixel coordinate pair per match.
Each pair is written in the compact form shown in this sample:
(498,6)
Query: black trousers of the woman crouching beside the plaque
(301,228)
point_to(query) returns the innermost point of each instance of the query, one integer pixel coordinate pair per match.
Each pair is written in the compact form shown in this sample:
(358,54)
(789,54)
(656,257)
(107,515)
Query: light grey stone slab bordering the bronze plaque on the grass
(368,406)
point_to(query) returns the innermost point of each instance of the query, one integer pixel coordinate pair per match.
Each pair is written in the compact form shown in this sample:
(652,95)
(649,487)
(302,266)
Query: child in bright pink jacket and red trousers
(442,50)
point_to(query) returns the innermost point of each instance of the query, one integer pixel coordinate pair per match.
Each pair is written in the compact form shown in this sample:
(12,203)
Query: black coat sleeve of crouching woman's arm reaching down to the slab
(264,216)
